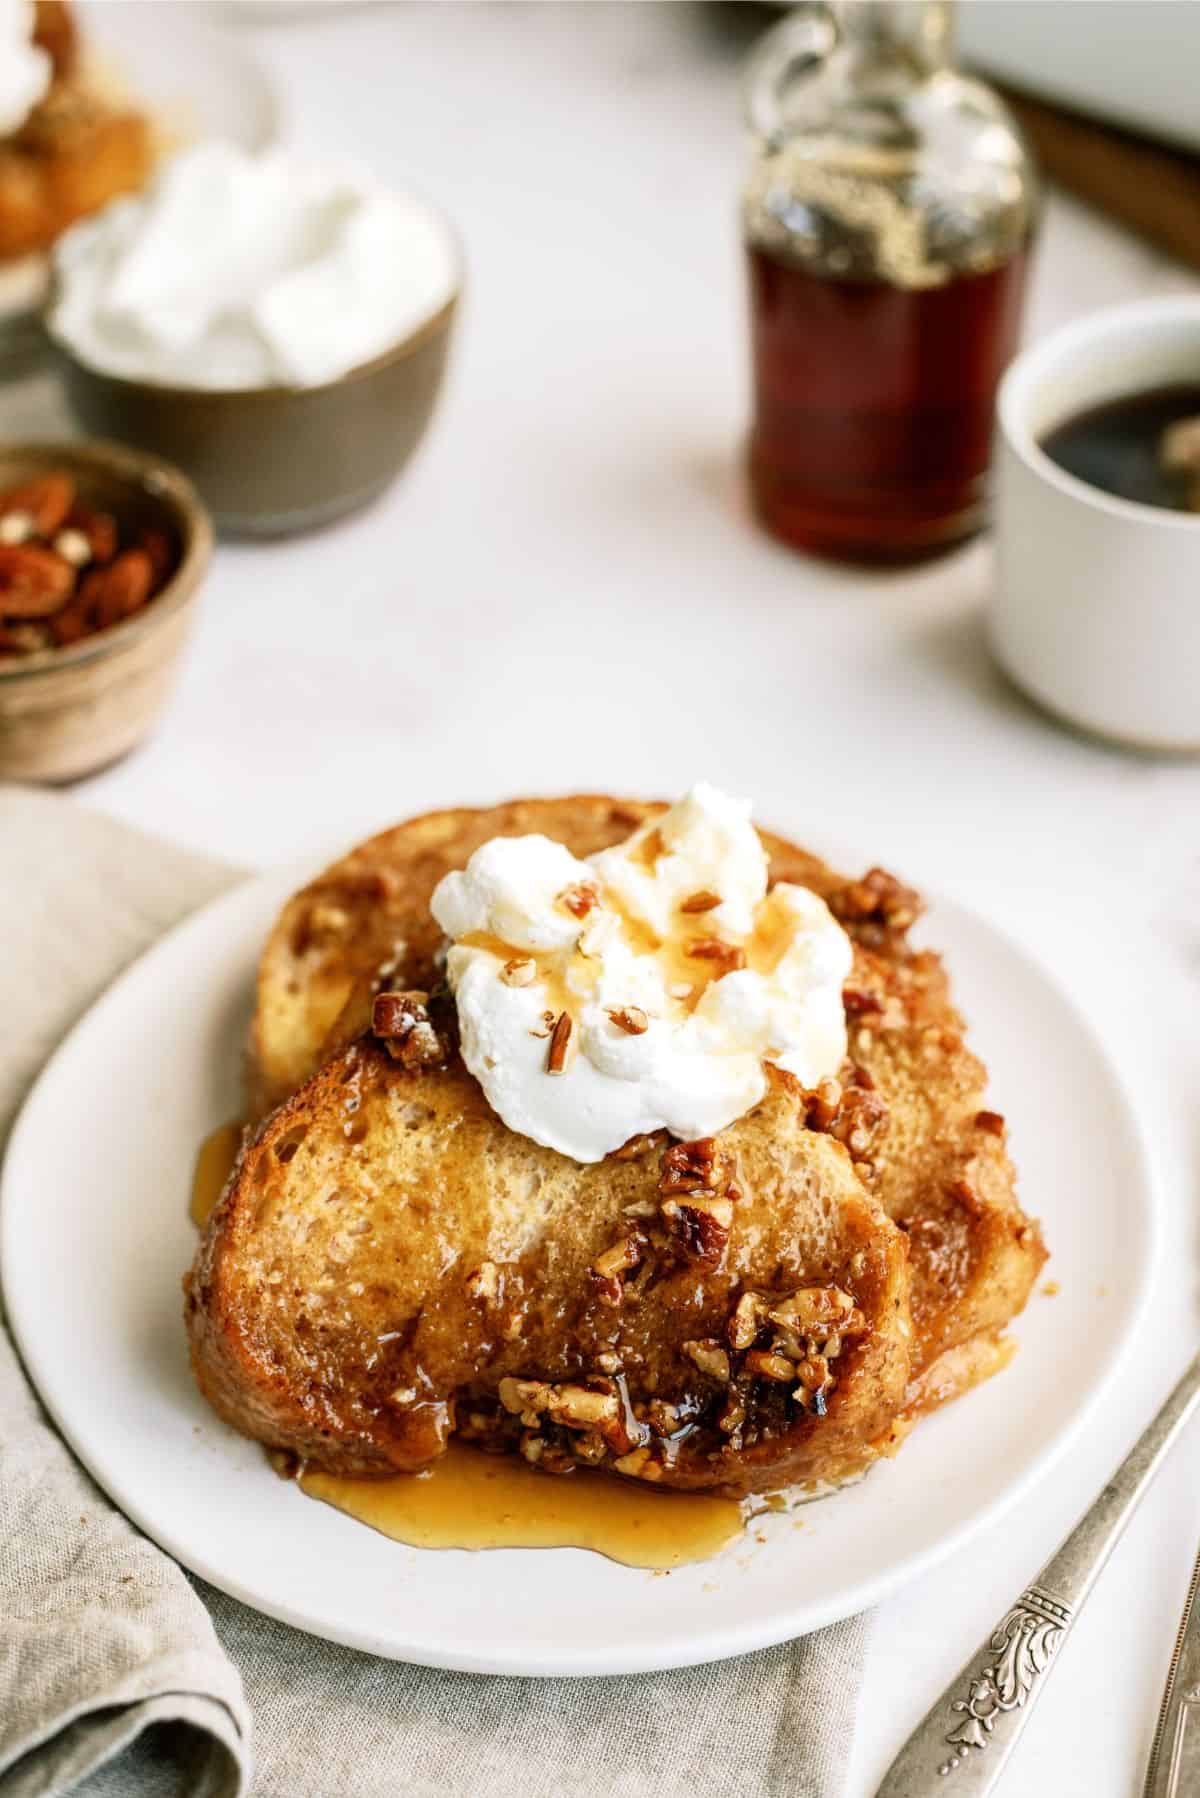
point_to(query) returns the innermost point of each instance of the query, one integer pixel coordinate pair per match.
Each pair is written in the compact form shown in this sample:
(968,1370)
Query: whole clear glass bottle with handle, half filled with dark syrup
(888,224)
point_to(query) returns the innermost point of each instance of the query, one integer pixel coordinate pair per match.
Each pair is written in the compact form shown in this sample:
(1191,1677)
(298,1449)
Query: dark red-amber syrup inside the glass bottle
(873,407)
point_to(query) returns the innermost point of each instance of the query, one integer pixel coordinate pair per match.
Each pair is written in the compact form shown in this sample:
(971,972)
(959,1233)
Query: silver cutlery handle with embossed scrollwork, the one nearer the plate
(965,1741)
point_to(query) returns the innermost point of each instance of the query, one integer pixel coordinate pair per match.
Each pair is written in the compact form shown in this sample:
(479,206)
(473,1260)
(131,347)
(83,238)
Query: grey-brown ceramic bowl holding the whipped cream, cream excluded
(276,459)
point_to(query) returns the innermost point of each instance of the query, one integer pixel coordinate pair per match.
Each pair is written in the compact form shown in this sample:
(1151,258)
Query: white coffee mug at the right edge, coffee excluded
(1097,609)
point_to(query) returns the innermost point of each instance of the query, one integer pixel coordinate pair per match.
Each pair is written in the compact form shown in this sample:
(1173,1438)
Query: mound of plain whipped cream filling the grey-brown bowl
(240,271)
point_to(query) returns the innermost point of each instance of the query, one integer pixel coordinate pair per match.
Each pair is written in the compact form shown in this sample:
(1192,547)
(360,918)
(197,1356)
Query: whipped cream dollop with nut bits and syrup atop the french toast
(645,988)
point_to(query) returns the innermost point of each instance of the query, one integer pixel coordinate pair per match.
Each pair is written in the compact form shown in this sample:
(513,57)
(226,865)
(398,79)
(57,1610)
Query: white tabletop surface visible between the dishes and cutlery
(568,592)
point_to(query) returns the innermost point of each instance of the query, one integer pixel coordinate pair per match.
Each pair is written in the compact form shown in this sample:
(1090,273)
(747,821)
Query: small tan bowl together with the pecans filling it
(102,556)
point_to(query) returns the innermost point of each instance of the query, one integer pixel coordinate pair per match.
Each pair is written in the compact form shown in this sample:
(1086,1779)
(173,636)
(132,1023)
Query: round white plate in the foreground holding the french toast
(94,1240)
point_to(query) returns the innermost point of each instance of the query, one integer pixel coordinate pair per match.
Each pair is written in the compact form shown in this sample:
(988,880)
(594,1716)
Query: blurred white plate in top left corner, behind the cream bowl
(193,80)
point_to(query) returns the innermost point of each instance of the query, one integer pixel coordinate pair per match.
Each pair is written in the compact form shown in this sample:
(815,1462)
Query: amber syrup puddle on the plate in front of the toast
(476,1500)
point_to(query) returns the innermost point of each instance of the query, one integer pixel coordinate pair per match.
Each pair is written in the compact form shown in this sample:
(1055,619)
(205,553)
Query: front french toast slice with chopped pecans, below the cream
(391,1265)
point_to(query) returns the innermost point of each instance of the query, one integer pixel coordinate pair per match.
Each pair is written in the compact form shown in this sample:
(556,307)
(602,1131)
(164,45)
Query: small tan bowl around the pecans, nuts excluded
(67,713)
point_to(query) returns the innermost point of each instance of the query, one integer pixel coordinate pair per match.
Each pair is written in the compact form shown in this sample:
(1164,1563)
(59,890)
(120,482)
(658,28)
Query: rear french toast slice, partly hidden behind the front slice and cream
(929,1148)
